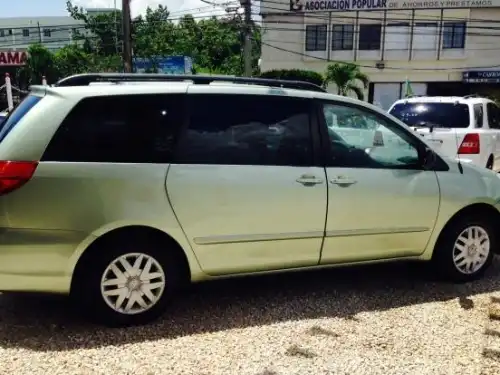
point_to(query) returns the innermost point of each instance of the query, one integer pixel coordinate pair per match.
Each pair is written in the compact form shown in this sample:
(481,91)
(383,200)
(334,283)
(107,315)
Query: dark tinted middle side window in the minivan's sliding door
(247,130)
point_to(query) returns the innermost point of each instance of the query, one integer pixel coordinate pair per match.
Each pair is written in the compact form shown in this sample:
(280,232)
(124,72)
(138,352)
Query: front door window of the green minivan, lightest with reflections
(382,145)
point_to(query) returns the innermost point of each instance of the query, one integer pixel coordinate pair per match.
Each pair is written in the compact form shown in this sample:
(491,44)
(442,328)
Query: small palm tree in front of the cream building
(346,77)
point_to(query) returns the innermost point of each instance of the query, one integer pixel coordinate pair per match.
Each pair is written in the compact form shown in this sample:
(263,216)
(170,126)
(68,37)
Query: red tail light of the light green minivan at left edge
(14,174)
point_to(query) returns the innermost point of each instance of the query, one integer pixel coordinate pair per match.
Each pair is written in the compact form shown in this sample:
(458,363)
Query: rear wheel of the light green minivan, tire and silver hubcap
(89,291)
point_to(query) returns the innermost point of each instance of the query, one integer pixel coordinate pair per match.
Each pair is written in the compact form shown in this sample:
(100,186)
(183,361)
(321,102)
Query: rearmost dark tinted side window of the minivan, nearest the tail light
(119,129)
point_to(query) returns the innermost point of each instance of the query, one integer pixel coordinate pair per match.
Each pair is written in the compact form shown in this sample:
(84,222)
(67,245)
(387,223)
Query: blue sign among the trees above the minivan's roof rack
(164,65)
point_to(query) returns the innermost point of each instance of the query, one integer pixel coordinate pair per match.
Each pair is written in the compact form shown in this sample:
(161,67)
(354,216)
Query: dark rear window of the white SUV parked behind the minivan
(442,115)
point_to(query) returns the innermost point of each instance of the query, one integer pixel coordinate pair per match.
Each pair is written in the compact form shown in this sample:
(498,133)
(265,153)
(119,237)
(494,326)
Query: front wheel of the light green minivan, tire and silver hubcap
(447,249)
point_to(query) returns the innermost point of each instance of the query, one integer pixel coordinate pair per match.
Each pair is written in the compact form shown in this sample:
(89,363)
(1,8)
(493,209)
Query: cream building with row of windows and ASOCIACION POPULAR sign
(441,47)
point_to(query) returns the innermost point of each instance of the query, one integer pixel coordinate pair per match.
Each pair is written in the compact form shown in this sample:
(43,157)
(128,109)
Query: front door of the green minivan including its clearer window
(381,203)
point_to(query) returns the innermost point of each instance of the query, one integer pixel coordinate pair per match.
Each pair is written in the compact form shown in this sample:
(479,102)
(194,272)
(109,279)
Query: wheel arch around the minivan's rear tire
(129,232)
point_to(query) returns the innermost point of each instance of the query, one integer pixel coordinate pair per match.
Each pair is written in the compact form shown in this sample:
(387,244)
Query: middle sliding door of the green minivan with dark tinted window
(244,188)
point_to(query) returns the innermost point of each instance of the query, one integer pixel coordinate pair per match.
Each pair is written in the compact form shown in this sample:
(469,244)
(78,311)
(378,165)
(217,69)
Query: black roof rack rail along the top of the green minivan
(87,78)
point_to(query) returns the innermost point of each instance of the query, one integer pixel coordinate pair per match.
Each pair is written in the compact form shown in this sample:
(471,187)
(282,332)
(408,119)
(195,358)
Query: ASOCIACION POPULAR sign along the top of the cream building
(353,5)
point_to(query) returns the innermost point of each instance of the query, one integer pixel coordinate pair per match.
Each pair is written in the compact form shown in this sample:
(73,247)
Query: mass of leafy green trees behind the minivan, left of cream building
(214,44)
